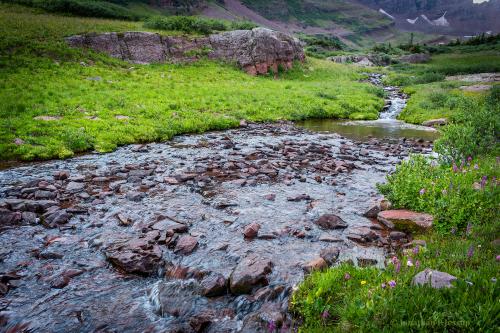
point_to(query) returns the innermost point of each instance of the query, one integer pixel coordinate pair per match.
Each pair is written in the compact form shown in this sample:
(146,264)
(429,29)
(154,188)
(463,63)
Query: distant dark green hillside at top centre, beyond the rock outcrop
(321,13)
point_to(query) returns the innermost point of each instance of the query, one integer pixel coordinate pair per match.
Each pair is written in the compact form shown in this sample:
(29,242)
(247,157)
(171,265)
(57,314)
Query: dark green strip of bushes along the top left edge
(88,8)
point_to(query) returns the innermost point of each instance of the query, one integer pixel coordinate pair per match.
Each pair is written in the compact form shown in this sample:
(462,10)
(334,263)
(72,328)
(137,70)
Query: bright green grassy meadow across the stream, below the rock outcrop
(41,76)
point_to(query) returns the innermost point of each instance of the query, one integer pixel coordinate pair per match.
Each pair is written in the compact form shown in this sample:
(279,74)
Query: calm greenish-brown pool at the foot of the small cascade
(364,130)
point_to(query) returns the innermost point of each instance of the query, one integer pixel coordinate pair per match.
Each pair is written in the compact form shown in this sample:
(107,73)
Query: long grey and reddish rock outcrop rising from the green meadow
(256,51)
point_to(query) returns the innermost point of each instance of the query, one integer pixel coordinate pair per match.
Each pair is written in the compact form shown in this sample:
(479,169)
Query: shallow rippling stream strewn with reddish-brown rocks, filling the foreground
(206,233)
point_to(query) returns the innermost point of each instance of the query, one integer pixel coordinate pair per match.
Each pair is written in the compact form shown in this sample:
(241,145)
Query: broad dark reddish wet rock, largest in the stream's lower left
(135,256)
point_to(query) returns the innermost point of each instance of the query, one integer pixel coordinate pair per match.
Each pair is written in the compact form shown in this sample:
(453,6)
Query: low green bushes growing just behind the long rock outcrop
(188,24)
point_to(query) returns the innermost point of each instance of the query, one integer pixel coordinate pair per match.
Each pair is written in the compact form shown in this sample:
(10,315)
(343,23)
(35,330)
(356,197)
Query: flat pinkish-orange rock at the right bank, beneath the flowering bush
(405,220)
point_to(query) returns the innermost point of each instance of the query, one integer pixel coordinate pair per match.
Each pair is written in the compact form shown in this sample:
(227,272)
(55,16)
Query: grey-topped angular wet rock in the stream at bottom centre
(251,272)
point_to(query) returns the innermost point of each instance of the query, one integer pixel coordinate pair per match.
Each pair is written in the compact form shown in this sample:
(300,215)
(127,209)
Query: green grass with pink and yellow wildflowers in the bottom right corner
(327,302)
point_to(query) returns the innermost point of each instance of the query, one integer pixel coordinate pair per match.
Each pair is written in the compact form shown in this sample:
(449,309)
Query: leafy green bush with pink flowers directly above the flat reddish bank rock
(455,196)
